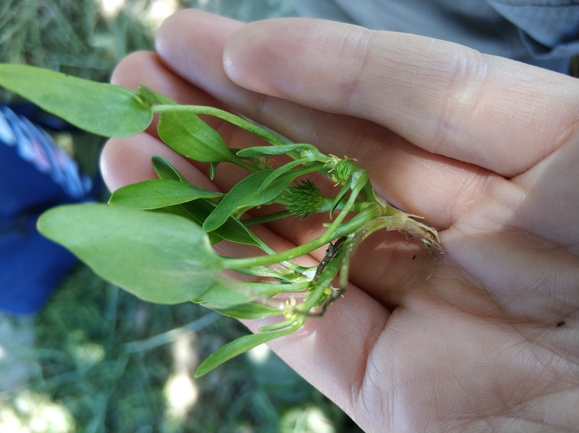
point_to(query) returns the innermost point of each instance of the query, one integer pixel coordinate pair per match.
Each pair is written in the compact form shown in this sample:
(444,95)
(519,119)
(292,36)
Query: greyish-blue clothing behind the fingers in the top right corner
(543,33)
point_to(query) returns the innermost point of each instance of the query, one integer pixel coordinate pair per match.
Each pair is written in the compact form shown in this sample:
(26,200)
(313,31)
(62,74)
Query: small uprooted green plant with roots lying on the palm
(154,238)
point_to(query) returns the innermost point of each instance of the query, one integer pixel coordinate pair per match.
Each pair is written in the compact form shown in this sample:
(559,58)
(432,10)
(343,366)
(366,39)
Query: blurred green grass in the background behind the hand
(104,361)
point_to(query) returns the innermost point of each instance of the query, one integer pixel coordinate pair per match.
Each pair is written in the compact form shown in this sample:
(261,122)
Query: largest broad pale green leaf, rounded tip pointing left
(156,256)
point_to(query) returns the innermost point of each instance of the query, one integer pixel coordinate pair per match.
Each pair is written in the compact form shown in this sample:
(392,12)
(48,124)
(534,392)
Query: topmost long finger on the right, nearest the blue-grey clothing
(443,97)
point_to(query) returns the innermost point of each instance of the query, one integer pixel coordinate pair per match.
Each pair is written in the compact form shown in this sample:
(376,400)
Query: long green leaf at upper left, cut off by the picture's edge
(100,108)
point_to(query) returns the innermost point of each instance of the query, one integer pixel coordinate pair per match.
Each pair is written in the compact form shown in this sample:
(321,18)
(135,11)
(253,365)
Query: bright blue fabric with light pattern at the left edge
(35,175)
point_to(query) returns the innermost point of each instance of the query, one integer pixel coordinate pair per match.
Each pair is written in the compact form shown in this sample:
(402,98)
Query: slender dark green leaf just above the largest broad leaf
(158,193)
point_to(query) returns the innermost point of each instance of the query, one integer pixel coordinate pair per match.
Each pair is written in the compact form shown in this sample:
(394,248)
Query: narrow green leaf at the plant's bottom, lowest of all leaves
(237,347)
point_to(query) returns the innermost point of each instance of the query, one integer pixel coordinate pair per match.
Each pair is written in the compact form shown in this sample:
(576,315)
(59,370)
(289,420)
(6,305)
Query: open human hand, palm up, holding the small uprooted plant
(486,149)
